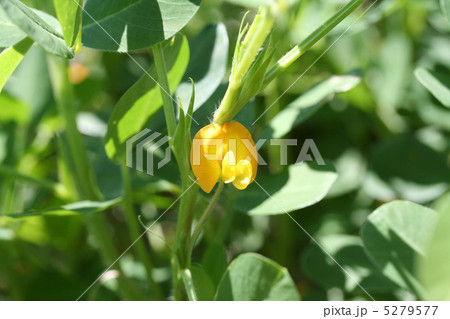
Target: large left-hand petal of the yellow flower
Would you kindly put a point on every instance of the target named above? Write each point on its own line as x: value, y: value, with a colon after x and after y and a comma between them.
x: 206, y: 156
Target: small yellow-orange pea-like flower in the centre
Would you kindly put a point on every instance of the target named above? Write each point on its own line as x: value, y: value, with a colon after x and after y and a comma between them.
x: 224, y: 151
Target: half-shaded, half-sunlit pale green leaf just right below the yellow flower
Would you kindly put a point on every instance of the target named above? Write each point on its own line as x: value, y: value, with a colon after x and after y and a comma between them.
x: 297, y: 187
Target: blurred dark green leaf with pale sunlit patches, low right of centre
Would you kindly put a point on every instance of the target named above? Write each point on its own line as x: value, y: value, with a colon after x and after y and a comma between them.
x: 349, y: 253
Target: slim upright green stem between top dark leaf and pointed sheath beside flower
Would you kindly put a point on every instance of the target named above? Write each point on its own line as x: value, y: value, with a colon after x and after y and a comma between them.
x: 163, y: 82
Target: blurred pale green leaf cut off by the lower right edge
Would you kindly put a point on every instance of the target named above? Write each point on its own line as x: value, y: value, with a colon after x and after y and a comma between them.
x: 434, y: 268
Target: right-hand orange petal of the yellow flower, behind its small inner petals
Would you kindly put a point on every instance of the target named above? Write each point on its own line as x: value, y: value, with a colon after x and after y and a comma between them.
x: 239, y: 141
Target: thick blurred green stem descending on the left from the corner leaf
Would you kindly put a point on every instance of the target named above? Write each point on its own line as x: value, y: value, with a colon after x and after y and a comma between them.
x: 82, y: 174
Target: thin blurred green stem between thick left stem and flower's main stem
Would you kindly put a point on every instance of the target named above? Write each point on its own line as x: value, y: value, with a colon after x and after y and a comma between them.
x: 135, y: 231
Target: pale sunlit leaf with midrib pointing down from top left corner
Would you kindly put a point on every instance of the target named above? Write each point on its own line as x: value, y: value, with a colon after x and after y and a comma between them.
x: 43, y: 31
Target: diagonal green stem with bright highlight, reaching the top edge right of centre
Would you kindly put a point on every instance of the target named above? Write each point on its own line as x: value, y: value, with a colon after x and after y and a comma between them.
x: 290, y: 57
